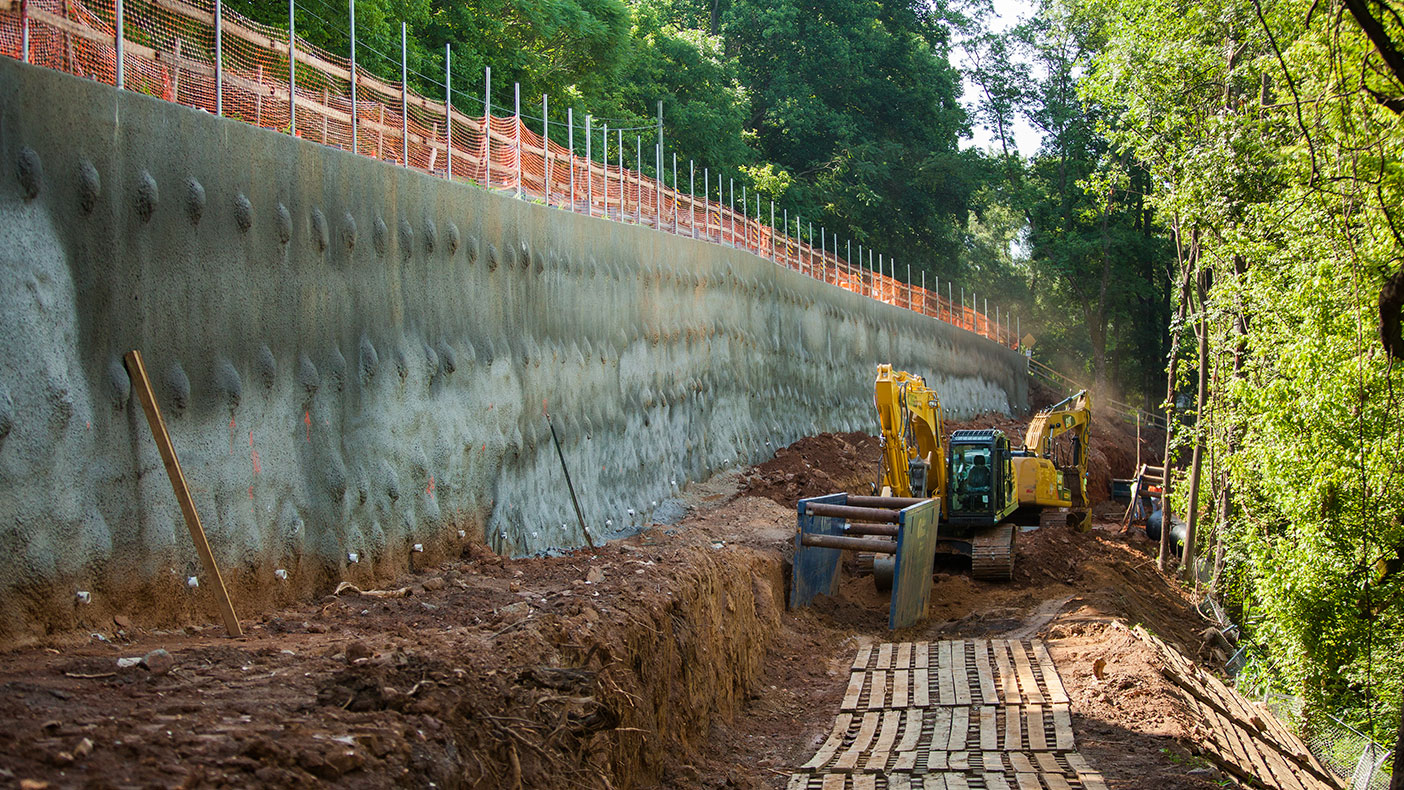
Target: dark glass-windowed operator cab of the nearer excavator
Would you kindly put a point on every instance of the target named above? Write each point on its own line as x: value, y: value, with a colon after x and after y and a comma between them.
x: 982, y: 481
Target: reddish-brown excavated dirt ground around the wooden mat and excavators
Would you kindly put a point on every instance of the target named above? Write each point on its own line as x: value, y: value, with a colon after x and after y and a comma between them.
x: 666, y: 660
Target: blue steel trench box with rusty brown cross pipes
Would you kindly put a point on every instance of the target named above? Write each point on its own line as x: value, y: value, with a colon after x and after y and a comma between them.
x: 835, y: 523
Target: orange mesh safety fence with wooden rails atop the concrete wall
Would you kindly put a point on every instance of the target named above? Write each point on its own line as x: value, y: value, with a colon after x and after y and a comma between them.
x: 169, y: 53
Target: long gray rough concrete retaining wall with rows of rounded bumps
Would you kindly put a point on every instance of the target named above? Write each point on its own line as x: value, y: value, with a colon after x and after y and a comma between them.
x: 353, y: 359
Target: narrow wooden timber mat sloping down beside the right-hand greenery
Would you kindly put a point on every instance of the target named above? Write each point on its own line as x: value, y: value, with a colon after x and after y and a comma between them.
x: 1243, y: 739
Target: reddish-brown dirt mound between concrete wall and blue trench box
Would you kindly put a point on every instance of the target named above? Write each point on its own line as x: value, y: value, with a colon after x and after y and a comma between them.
x: 815, y: 467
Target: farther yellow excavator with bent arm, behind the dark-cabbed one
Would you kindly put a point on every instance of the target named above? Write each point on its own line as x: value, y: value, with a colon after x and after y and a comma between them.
x: 1054, y: 475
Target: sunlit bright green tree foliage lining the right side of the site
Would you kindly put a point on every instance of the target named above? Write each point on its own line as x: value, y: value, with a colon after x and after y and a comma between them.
x: 1280, y: 173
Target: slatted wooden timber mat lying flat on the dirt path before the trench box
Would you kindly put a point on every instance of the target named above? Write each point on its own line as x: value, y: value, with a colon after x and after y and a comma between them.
x: 960, y: 715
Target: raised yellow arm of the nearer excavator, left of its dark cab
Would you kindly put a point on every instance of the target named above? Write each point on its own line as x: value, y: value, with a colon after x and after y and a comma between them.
x: 910, y: 419
